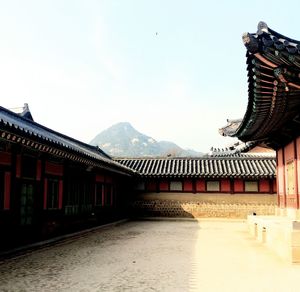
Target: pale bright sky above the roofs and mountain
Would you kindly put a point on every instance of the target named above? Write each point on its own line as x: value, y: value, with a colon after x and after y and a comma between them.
x: 174, y: 69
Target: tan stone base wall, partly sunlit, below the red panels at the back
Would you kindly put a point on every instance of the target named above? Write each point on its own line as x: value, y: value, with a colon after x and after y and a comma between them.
x: 197, y: 205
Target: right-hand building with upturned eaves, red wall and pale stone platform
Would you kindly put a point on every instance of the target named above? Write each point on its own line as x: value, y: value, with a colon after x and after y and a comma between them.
x: 272, y: 119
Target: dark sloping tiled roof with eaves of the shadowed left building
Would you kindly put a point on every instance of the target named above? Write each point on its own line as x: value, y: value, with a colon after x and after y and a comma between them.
x: 18, y: 129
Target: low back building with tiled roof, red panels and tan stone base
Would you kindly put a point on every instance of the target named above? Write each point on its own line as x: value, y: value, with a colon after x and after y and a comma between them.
x: 229, y: 186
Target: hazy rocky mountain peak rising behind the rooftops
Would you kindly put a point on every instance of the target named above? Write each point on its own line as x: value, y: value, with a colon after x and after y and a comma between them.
x: 122, y: 140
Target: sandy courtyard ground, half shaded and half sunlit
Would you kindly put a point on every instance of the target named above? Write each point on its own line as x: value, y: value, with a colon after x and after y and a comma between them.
x: 205, y: 255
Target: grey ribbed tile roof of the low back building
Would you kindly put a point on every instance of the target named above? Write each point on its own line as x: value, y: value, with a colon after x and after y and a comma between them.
x: 213, y: 167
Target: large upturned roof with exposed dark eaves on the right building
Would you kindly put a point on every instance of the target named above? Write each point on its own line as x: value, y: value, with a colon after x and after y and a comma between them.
x: 273, y: 112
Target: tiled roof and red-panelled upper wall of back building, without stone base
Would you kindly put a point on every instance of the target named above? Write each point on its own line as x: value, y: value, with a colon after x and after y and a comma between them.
x: 239, y: 173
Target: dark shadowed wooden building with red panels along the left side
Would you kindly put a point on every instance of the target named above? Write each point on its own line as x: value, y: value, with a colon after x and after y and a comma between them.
x: 51, y: 183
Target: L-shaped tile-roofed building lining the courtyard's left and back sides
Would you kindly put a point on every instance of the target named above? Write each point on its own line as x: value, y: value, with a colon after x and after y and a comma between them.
x: 51, y: 183
